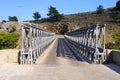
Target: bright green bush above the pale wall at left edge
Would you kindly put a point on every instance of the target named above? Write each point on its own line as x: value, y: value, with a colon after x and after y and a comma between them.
x: 8, y: 40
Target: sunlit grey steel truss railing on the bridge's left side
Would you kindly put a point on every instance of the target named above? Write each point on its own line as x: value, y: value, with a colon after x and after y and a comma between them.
x: 35, y: 40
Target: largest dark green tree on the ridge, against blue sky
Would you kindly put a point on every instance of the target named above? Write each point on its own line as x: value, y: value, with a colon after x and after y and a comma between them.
x: 54, y: 15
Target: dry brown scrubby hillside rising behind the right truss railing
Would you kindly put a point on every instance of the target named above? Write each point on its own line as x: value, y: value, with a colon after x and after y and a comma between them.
x: 89, y: 18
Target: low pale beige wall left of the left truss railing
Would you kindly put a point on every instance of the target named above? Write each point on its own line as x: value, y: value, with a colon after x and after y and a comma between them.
x: 9, y: 56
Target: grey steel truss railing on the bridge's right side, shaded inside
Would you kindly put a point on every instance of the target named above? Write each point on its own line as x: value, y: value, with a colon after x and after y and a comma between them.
x: 89, y: 41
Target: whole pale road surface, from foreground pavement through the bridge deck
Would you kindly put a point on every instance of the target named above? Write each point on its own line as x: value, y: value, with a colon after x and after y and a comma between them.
x: 58, y: 63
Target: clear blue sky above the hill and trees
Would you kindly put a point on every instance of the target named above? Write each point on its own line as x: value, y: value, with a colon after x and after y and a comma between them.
x: 24, y: 9
